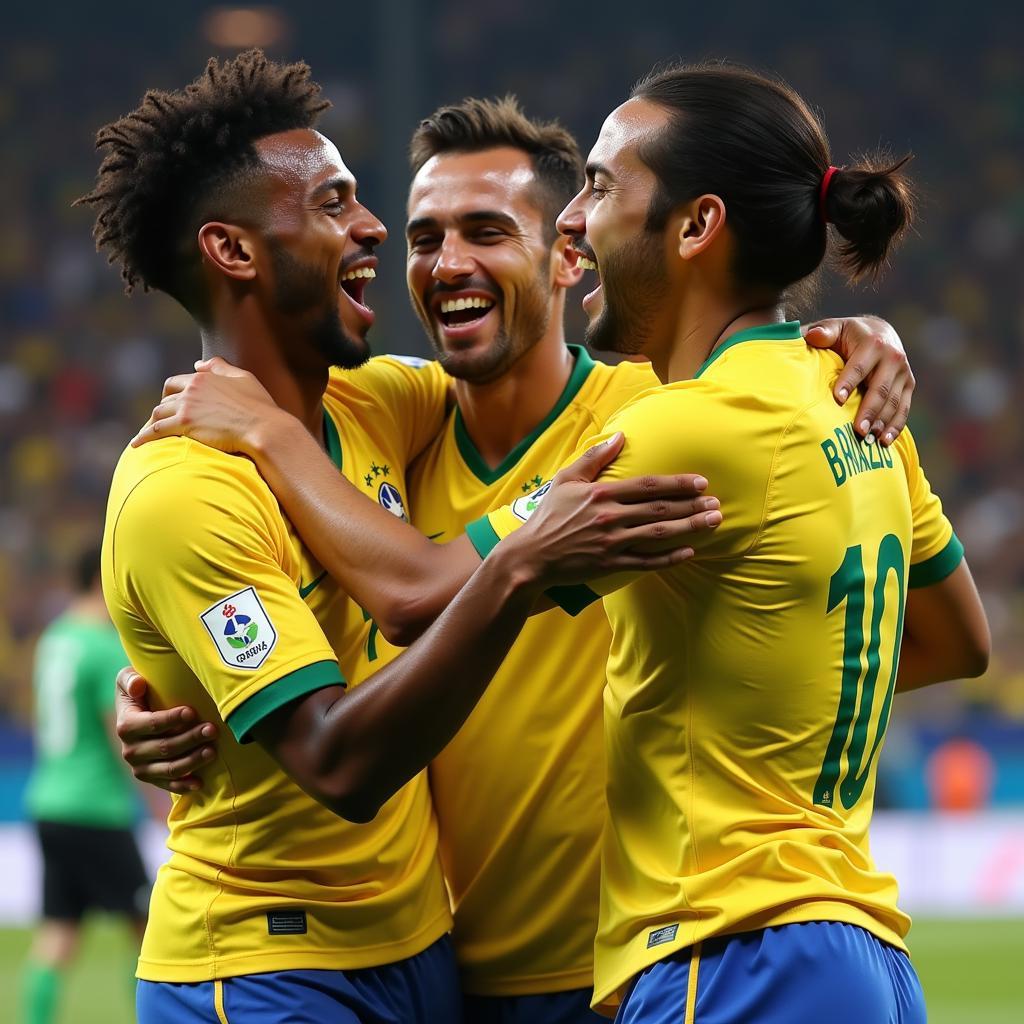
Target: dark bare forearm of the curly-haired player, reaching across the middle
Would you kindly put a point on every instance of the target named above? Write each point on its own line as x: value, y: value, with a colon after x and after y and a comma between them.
x: 380, y: 736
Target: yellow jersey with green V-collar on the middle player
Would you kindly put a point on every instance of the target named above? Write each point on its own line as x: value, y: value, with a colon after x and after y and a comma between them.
x: 520, y: 791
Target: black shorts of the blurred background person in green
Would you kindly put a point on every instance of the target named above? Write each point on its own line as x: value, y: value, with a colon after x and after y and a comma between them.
x: 89, y: 869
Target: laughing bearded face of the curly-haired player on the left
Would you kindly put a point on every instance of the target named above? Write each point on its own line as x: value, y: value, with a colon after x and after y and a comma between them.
x: 321, y: 243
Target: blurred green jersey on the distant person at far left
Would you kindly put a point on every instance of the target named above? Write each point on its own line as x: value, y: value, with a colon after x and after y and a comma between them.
x: 78, y: 778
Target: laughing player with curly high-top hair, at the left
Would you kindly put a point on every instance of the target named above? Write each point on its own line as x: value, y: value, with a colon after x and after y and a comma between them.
x: 272, y: 907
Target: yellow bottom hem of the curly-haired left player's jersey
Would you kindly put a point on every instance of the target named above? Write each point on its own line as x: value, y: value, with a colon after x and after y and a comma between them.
x: 309, y: 960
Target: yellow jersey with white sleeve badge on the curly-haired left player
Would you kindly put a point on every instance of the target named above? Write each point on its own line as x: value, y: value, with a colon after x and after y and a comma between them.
x: 222, y: 608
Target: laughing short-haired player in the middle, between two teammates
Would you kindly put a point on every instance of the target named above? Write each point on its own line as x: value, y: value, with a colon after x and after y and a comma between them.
x: 520, y: 792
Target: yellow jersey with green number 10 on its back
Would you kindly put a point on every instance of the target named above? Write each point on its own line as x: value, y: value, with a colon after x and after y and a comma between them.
x: 750, y: 689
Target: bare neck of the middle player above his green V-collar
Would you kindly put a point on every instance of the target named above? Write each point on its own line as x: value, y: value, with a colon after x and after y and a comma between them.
x: 500, y: 414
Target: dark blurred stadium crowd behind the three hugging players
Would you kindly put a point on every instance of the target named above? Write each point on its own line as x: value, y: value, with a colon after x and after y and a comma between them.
x: 81, y: 365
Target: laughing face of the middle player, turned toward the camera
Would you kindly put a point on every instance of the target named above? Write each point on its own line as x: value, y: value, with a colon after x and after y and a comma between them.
x: 480, y: 261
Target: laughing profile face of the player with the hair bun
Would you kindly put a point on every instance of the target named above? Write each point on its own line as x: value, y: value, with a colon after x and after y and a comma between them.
x: 608, y: 226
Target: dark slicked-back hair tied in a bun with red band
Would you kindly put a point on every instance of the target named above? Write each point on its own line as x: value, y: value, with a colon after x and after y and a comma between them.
x: 752, y: 141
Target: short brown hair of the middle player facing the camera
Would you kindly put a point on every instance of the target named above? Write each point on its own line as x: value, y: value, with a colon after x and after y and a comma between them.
x: 476, y: 125
